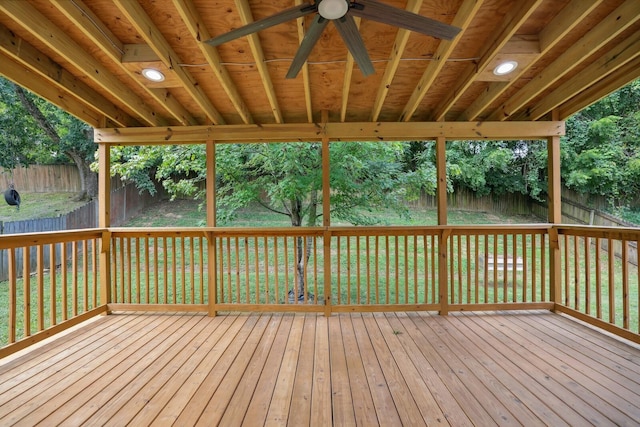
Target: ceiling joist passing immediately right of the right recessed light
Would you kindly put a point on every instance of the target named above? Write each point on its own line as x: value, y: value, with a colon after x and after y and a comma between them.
x: 568, y: 18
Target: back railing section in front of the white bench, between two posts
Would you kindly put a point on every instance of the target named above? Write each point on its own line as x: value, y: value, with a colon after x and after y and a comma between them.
x: 498, y: 267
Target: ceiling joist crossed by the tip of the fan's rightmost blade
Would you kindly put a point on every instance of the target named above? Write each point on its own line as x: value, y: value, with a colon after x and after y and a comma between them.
x: 462, y: 20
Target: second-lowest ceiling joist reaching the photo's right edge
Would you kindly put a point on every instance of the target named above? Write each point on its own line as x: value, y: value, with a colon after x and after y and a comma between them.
x: 614, y: 59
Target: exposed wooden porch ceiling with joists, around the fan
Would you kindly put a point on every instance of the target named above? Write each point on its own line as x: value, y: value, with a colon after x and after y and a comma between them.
x: 86, y: 56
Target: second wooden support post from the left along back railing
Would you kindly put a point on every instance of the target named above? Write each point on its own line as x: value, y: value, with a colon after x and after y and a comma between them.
x: 211, y: 222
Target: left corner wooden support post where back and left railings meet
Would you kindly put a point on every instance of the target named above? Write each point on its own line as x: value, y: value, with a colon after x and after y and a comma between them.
x: 104, y: 221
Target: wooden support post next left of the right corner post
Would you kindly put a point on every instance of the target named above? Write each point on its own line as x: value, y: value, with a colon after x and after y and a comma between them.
x: 443, y: 274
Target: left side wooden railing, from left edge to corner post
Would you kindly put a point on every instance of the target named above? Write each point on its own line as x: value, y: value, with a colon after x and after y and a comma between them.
x: 54, y: 283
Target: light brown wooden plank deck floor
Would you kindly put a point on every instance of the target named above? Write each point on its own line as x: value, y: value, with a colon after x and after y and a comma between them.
x: 350, y: 369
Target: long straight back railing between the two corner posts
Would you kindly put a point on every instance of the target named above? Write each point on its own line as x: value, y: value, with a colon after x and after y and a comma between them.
x: 363, y: 268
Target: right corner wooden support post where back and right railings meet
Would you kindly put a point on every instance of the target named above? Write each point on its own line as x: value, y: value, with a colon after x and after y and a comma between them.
x: 554, y: 217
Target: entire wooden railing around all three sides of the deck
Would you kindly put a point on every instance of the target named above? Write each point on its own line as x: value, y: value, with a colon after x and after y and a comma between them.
x: 590, y: 273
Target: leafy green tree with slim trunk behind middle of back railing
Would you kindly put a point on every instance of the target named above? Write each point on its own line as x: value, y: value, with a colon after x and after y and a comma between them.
x: 286, y: 178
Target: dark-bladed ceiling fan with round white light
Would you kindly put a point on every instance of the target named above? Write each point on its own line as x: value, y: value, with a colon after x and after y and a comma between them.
x: 341, y: 12
